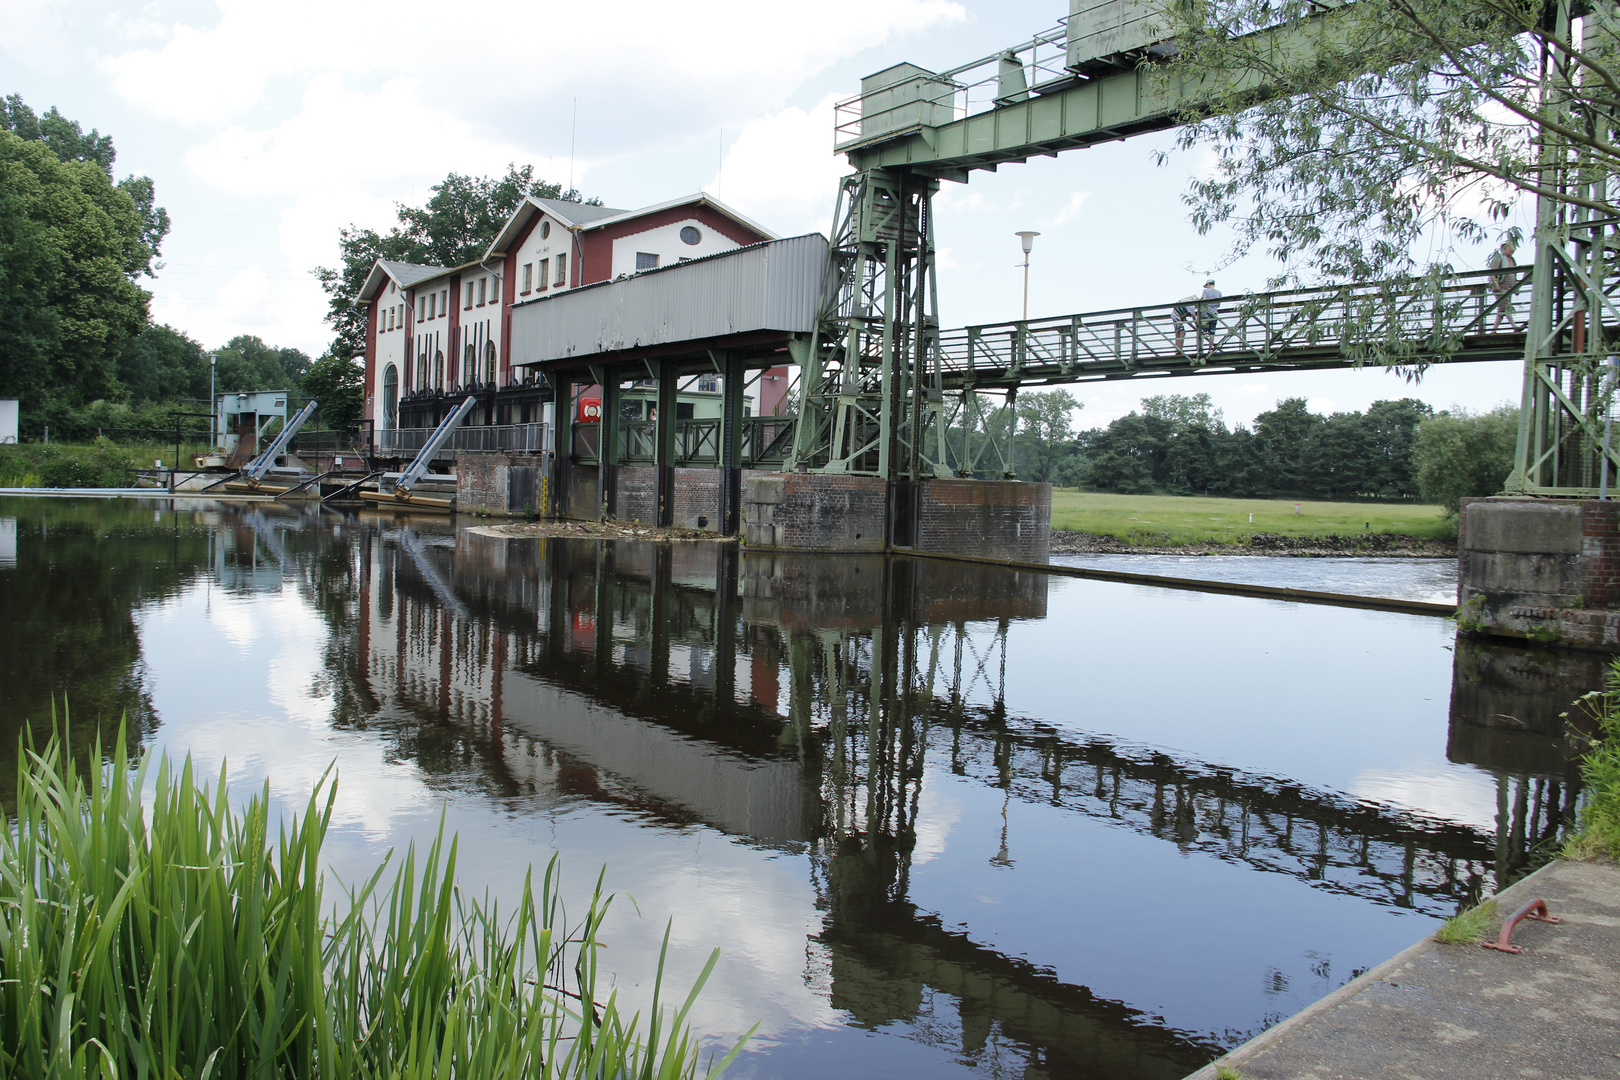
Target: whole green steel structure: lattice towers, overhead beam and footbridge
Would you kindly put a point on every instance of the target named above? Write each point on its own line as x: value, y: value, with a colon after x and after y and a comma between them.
x: 882, y: 385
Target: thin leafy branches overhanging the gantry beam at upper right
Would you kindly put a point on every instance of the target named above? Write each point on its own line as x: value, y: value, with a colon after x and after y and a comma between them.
x: 1342, y: 142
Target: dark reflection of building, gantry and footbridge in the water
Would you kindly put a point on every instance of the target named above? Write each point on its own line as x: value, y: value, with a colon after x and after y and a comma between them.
x: 795, y: 702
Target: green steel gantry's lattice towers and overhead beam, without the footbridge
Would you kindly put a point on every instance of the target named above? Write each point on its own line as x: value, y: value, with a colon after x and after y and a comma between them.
x: 876, y: 380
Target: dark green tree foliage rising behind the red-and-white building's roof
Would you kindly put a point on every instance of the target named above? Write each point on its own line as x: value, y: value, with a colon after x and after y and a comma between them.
x: 456, y: 226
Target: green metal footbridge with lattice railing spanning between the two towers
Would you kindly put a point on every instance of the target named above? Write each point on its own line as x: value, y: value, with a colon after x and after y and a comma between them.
x: 1375, y: 323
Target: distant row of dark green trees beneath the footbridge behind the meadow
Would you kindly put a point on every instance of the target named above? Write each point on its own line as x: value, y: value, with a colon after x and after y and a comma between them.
x: 1182, y: 446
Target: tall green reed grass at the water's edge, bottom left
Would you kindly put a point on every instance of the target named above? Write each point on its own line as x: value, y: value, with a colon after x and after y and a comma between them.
x: 182, y: 940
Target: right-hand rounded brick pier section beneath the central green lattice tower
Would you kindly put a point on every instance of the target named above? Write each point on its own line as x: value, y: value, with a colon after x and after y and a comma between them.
x: 986, y: 519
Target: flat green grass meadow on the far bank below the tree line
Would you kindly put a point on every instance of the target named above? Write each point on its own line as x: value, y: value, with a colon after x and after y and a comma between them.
x: 1193, y: 521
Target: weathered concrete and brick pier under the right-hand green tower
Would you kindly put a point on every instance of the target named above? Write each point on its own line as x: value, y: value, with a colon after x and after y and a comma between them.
x: 1541, y: 571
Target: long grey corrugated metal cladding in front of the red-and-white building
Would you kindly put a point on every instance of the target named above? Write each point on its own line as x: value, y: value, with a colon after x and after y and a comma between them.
x: 762, y: 287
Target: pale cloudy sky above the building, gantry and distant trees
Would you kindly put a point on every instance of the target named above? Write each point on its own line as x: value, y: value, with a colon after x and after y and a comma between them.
x: 268, y: 127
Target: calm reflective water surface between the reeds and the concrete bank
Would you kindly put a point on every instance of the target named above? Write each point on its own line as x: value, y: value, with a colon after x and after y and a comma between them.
x: 942, y: 820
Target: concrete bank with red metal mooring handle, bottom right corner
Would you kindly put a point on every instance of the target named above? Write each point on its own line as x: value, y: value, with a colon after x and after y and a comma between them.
x: 1462, y: 1013
